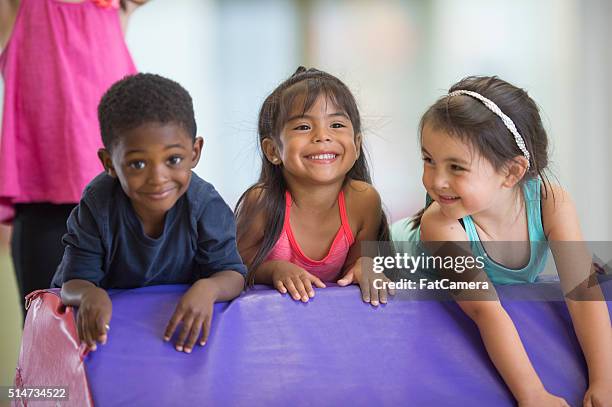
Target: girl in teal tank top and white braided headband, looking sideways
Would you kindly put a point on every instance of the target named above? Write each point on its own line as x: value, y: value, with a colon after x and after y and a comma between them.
x: 484, y: 154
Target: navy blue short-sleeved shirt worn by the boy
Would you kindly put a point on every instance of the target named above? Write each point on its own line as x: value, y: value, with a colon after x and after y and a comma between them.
x: 106, y: 243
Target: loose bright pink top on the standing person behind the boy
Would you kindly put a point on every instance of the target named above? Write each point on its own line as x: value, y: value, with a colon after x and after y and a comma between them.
x: 60, y: 59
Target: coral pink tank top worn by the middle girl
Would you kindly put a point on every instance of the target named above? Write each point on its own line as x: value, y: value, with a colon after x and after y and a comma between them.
x: 328, y: 268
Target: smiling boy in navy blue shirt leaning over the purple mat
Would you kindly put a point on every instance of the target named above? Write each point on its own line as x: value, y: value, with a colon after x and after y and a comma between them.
x: 148, y: 219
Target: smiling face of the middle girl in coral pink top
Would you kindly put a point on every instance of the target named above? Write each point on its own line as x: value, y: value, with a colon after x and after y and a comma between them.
x: 317, y: 146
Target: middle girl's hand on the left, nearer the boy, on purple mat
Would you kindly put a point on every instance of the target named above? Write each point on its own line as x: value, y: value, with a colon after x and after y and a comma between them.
x: 296, y: 281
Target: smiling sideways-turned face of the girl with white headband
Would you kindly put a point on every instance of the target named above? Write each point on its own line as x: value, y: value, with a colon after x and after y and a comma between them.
x: 457, y: 177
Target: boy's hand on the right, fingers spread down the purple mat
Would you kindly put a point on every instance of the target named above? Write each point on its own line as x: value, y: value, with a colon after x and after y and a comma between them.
x: 194, y: 311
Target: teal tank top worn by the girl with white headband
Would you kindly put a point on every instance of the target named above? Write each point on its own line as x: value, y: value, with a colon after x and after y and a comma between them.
x: 498, y: 274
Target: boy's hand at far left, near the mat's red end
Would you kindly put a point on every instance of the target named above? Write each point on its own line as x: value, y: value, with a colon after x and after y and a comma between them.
x: 94, y: 316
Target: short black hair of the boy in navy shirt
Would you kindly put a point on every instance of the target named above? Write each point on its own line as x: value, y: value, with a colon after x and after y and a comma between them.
x: 144, y: 98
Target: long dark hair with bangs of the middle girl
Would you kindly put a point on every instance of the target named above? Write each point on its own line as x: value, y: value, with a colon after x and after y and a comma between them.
x: 308, y: 84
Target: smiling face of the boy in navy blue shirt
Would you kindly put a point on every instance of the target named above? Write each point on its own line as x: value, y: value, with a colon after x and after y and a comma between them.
x: 153, y: 163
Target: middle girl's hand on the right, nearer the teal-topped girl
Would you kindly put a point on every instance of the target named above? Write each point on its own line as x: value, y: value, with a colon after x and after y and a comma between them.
x: 370, y: 283
